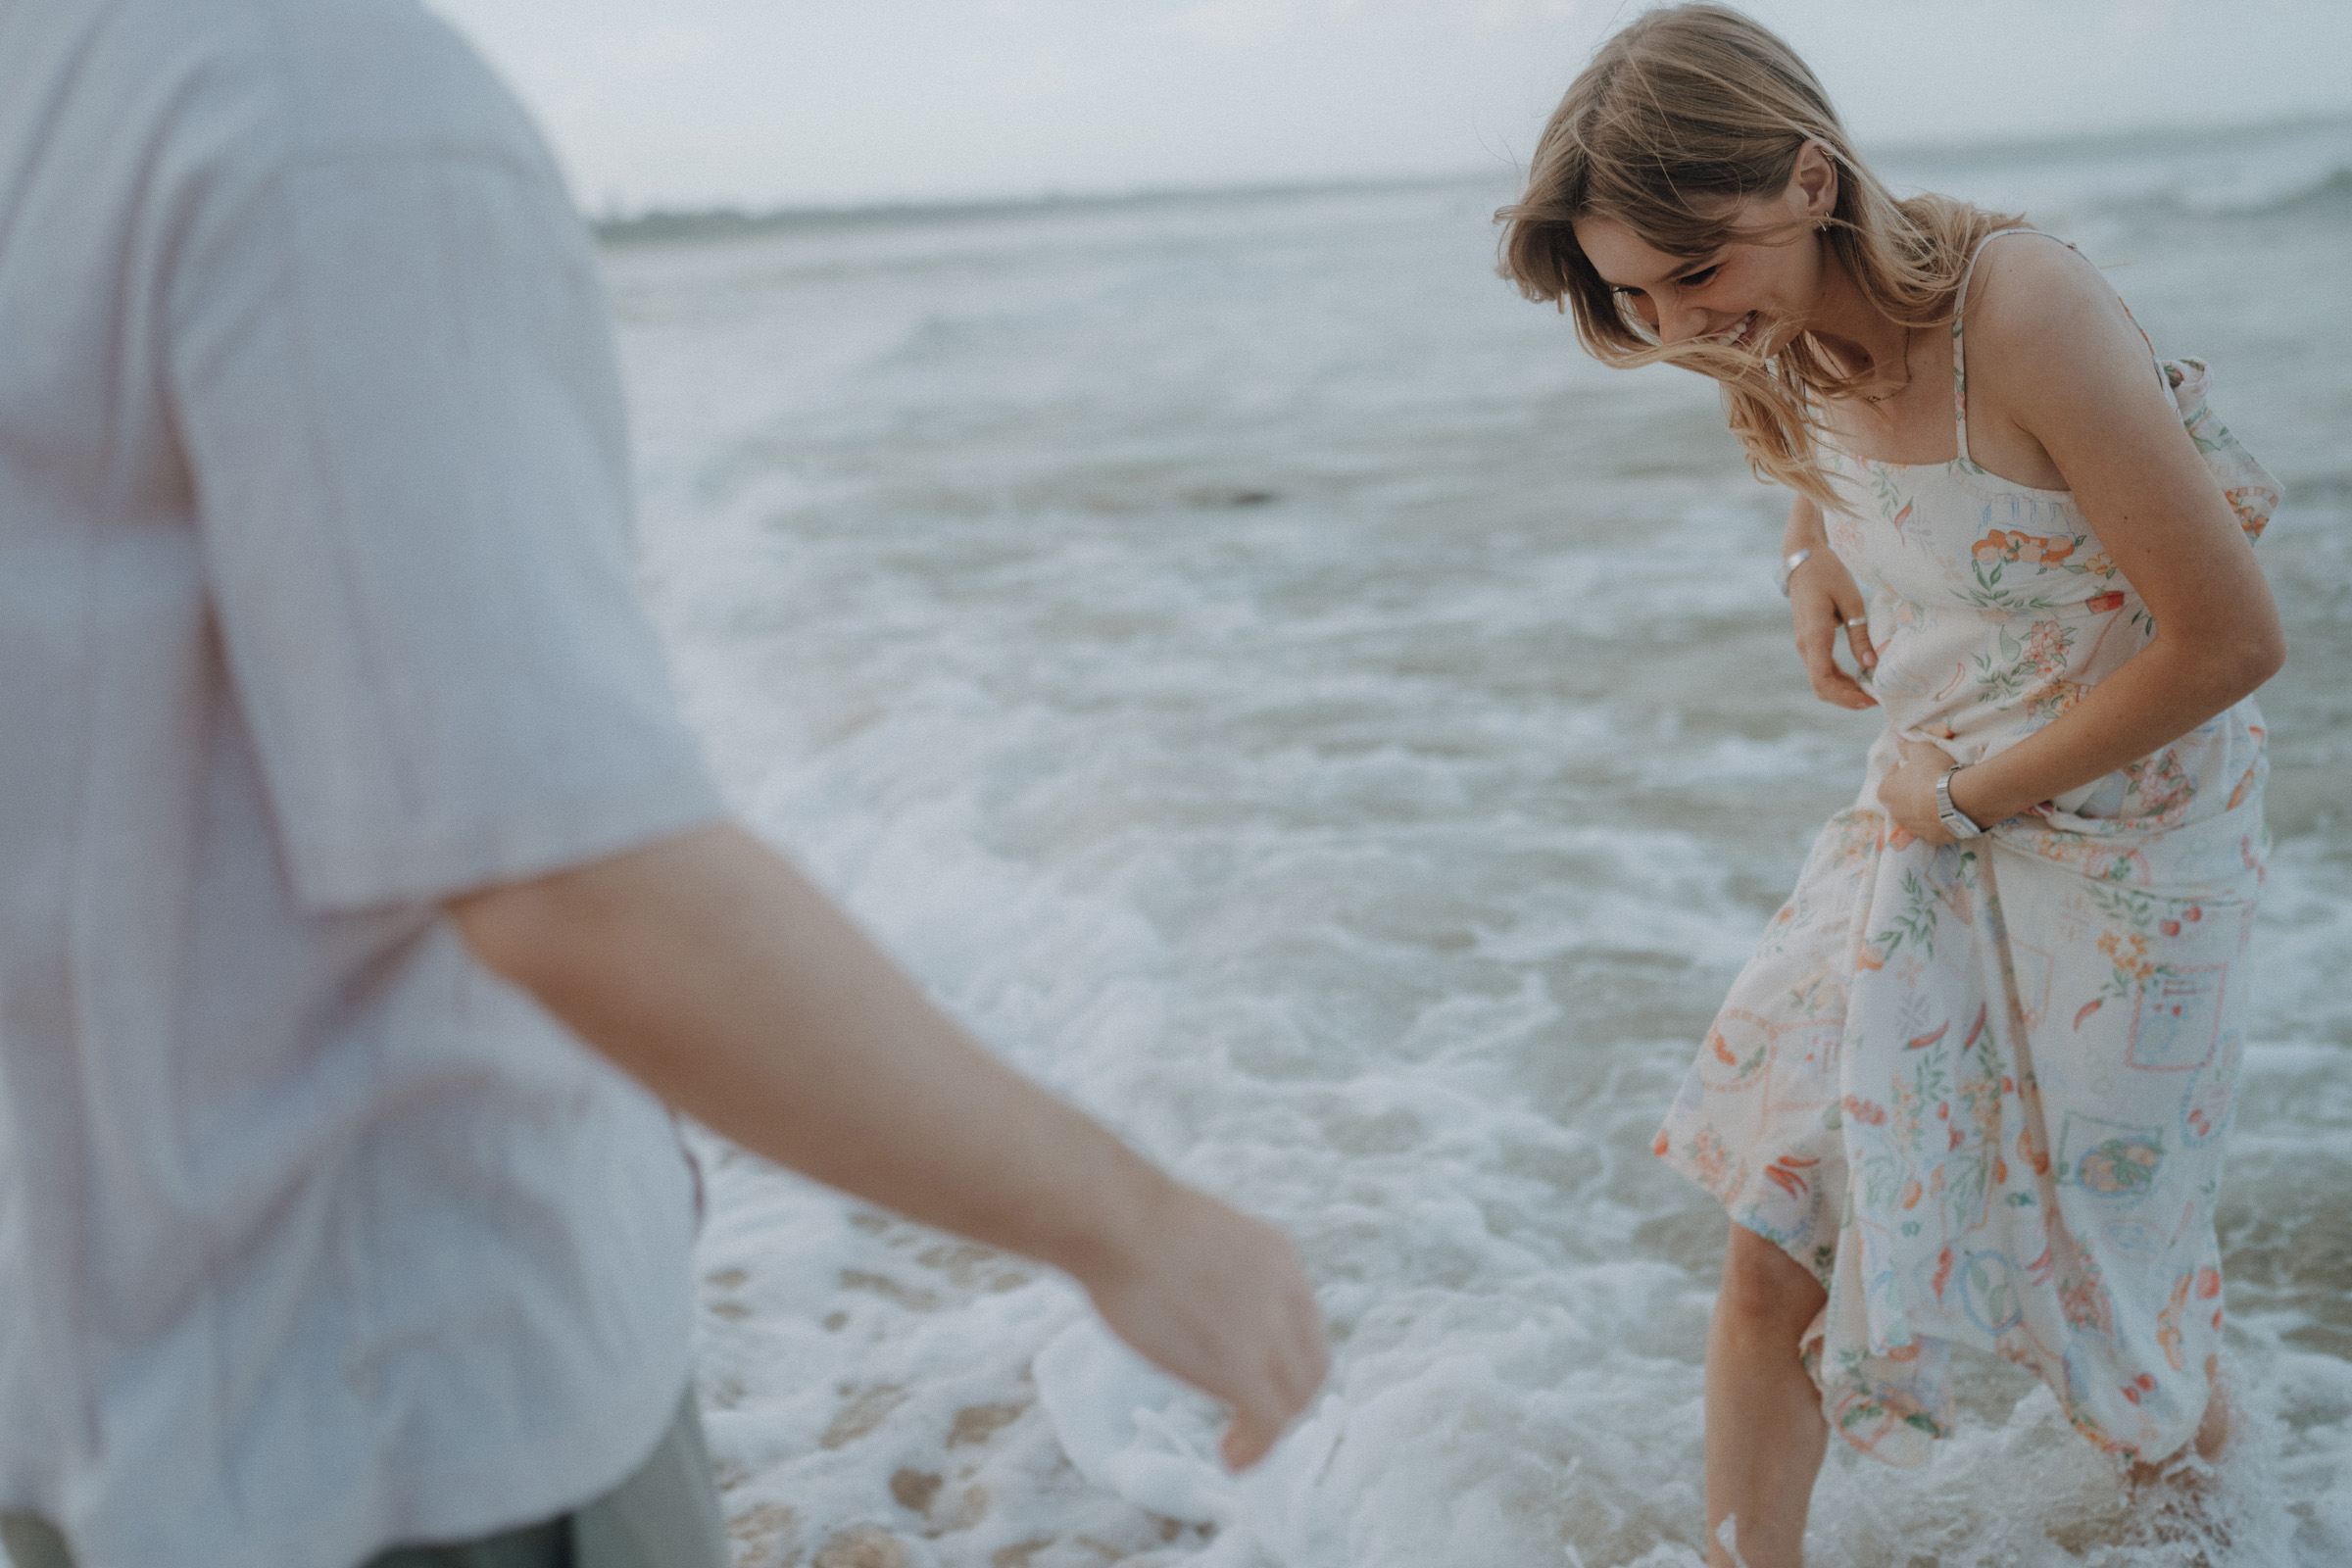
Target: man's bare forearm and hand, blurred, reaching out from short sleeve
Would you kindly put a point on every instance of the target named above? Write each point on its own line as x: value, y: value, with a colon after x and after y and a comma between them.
x: 714, y: 974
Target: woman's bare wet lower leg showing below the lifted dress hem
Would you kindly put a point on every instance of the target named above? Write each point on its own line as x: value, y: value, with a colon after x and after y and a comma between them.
x: 1765, y: 1428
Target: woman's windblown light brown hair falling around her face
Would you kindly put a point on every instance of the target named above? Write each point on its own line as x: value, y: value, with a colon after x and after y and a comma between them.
x: 1676, y: 123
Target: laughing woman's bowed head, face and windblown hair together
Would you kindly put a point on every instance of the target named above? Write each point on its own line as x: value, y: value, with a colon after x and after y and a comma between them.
x: 1753, y: 225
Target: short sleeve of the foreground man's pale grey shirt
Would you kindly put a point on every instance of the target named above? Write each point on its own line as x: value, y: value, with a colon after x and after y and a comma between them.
x: 401, y: 413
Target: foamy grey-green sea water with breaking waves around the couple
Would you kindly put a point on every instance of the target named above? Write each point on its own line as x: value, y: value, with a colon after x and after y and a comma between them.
x: 1276, y: 690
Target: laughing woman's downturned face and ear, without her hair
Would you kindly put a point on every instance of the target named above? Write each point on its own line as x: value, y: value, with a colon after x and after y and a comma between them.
x: 1742, y: 290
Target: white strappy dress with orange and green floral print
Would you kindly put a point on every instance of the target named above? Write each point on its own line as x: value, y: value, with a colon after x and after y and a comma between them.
x: 1982, y: 1092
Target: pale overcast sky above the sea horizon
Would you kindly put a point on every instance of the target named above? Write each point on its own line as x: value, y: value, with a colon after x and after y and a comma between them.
x: 817, y: 102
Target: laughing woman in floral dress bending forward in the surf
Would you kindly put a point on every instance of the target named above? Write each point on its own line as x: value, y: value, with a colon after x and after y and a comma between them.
x: 1977, y: 1080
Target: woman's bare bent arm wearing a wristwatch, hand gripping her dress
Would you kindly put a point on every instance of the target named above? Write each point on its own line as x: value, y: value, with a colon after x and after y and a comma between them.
x: 2054, y: 359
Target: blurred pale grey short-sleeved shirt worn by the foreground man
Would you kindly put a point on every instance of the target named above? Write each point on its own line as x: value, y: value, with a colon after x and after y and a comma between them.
x: 316, y: 608
